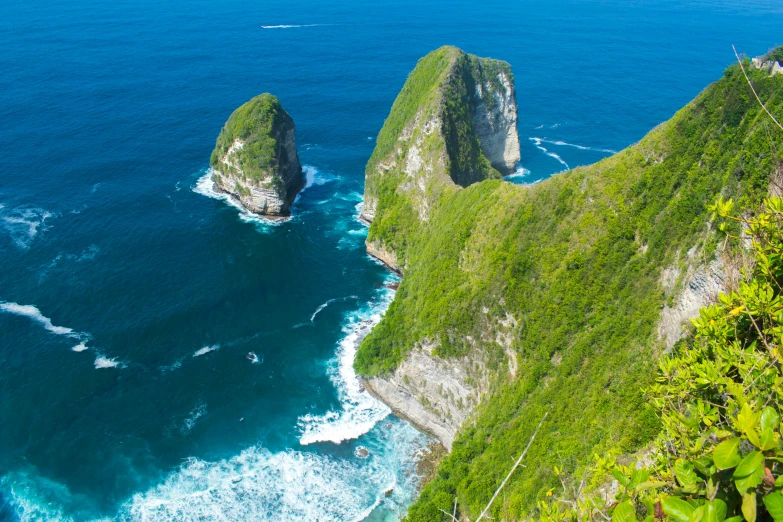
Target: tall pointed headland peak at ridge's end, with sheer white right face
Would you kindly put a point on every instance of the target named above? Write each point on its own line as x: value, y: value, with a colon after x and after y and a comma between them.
x: 453, y: 124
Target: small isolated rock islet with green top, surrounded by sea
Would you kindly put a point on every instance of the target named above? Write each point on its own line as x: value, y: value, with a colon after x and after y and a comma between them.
x: 255, y: 158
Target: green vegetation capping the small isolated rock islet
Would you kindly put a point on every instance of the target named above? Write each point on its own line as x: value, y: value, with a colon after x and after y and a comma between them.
x: 257, y: 124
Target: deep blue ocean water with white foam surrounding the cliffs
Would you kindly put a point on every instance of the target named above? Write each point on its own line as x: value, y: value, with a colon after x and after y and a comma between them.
x: 130, y: 296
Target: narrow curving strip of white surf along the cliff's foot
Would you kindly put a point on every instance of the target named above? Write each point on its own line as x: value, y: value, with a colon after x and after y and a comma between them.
x: 359, y: 411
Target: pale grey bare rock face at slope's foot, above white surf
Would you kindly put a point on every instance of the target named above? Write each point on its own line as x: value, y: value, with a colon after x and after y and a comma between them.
x: 435, y: 394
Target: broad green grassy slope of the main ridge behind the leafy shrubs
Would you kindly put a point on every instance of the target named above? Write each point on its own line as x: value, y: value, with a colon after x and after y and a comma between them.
x: 577, y: 262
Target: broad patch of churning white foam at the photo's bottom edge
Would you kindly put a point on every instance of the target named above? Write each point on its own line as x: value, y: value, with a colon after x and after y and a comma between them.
x: 260, y: 485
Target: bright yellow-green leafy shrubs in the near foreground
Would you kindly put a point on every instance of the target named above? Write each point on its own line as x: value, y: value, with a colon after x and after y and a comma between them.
x: 719, y: 396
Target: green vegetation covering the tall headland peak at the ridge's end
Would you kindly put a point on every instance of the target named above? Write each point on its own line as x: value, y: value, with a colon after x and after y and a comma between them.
x: 441, y: 87
